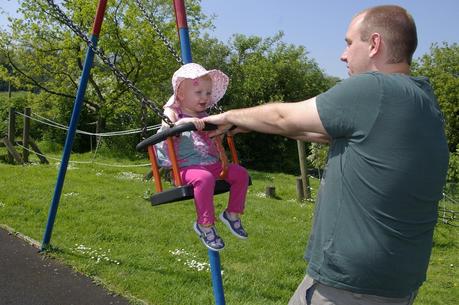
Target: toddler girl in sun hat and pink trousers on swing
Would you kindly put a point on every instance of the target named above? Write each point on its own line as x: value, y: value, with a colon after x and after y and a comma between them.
x: 195, y: 90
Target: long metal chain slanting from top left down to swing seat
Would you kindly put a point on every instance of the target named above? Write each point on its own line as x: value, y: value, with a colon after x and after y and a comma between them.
x: 118, y: 73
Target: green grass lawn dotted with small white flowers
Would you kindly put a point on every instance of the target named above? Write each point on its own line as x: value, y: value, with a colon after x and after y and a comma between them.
x: 106, y: 229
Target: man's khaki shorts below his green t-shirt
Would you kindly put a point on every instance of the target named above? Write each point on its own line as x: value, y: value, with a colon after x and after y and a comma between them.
x: 311, y: 292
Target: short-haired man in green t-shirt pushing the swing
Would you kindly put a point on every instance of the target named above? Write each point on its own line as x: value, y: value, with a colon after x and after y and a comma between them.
x: 377, y: 205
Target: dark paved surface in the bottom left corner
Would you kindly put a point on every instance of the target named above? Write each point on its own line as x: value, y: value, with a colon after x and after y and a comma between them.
x: 29, y: 278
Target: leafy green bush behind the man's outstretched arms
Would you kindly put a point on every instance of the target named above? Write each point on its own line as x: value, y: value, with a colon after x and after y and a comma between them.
x: 263, y: 71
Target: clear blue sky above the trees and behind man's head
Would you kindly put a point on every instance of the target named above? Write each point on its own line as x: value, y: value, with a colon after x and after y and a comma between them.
x: 319, y: 26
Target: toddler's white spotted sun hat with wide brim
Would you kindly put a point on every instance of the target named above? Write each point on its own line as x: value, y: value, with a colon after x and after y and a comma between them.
x: 192, y: 71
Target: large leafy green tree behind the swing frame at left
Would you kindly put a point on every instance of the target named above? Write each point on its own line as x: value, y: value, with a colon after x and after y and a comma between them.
x: 47, y: 57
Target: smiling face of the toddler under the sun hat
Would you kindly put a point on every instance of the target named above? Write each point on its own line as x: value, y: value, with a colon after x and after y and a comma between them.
x: 194, y: 95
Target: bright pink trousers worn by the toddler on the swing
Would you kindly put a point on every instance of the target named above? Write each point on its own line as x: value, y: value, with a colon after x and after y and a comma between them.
x: 203, y: 178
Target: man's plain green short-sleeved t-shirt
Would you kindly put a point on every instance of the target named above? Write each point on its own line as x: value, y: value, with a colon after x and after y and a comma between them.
x: 377, y: 205
